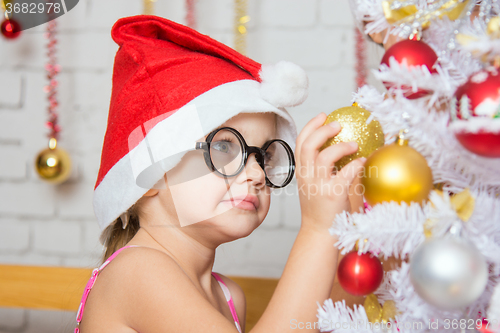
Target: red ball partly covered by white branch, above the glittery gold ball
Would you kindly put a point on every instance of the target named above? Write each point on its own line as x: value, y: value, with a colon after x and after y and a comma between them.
x: 414, y: 53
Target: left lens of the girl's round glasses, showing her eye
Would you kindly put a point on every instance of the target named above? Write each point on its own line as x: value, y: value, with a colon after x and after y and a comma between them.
x: 226, y: 152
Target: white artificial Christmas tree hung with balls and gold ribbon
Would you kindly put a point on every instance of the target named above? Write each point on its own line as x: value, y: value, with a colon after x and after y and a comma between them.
x: 465, y: 34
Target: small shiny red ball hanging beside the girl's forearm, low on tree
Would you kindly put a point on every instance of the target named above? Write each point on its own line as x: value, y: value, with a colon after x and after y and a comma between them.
x: 360, y: 275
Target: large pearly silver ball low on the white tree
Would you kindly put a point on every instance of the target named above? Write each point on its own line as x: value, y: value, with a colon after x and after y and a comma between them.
x: 448, y: 273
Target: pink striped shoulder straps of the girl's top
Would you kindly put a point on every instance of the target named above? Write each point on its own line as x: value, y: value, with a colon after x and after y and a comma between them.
x: 96, y: 271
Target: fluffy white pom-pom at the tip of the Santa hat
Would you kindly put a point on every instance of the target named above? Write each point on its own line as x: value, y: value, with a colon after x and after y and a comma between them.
x: 283, y: 84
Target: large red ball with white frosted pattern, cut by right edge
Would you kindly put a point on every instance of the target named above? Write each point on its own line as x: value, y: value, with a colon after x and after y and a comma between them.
x: 475, y: 114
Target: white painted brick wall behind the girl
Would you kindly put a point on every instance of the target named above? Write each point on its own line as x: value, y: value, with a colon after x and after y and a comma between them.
x: 43, y: 224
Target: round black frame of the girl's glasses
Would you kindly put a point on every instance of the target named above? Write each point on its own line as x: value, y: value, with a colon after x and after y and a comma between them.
x: 247, y: 151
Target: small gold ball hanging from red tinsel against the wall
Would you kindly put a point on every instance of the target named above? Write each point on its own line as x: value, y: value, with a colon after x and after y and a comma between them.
x: 53, y: 165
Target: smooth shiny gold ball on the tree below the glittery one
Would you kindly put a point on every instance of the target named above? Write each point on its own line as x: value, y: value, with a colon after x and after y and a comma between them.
x: 397, y: 173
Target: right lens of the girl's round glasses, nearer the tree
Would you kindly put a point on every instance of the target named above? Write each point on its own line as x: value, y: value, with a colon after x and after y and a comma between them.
x: 277, y: 163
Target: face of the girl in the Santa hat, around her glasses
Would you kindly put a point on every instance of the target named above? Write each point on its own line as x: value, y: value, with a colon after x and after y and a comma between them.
x: 206, y: 200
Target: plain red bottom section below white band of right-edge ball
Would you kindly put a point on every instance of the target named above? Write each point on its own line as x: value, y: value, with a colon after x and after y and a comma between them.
x: 482, y: 143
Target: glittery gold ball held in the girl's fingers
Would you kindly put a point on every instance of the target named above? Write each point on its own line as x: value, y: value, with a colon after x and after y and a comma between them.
x: 353, y: 119
